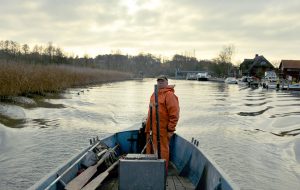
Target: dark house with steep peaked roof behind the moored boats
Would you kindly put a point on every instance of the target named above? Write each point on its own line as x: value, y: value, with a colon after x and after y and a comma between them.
x: 255, y: 67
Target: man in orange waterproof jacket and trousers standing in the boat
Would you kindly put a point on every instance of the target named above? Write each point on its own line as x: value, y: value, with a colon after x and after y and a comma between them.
x: 168, y: 107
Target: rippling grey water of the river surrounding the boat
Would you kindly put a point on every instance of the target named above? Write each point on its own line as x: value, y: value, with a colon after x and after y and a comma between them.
x: 252, y: 134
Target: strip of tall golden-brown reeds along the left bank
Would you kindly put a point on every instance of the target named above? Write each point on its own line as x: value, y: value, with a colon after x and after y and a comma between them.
x: 22, y: 79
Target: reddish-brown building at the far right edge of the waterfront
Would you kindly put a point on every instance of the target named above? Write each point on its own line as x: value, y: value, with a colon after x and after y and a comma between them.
x: 290, y: 68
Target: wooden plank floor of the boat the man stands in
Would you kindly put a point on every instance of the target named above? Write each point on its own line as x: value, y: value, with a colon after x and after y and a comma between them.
x: 174, y: 181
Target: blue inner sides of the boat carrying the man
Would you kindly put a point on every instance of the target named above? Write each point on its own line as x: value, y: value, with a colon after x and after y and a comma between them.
x: 187, y: 158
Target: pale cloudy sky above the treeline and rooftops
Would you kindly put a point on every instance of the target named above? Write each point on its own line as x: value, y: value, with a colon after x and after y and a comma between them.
x: 160, y: 27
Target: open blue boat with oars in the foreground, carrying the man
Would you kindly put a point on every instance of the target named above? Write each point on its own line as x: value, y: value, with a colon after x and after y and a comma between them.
x: 189, y: 167
